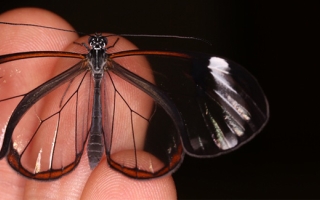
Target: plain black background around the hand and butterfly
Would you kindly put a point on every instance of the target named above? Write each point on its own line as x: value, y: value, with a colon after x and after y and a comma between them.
x: 277, y: 43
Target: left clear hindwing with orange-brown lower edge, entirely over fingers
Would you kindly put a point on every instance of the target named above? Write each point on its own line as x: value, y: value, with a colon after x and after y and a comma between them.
x: 51, y: 133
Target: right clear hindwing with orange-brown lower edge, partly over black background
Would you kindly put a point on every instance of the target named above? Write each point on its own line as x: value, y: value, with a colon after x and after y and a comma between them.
x: 142, y: 138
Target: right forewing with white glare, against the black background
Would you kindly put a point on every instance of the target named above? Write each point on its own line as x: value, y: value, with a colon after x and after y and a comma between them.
x: 217, y: 104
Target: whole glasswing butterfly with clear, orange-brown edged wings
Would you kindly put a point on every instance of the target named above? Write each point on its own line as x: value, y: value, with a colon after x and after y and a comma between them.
x: 142, y: 109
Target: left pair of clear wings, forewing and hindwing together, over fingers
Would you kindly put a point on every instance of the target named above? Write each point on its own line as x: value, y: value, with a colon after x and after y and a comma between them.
x: 46, y: 126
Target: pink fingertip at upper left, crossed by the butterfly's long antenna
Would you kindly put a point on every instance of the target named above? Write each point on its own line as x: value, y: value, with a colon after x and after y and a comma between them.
x: 29, y: 38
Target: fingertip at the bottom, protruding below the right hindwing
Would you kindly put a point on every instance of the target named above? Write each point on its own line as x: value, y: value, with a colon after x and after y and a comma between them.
x: 106, y: 183
